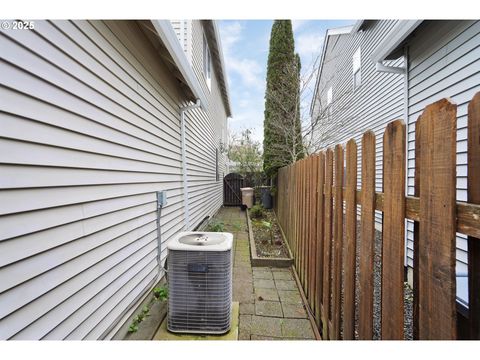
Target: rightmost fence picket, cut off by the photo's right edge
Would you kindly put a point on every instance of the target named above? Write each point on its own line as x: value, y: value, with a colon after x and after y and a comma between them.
x: 474, y: 197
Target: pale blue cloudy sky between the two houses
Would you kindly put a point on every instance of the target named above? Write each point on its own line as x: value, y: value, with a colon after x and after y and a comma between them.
x: 245, y: 48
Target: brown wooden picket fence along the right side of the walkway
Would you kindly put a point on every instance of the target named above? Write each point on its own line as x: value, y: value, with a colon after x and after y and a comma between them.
x: 317, y: 208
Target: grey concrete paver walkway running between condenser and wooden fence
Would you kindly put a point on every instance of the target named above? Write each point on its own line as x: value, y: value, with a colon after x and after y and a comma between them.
x: 271, y: 307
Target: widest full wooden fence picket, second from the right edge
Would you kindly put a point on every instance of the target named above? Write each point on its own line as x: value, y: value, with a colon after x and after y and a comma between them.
x: 437, y: 241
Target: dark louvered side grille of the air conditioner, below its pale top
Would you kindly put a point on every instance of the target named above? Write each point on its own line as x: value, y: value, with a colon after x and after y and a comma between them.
x: 200, y: 290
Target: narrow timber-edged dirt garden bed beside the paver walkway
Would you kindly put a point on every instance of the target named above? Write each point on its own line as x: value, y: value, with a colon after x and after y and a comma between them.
x: 267, y: 244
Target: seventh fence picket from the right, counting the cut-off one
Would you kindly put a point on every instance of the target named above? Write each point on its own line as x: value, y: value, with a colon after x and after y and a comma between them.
x: 327, y: 243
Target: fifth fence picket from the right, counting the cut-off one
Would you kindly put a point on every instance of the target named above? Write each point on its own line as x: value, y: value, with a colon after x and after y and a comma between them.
x: 350, y: 241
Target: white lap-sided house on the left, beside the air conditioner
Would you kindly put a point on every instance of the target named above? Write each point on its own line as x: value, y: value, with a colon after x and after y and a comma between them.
x: 91, y: 127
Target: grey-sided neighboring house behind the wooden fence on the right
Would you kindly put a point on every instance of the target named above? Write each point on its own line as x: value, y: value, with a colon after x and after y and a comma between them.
x: 442, y: 60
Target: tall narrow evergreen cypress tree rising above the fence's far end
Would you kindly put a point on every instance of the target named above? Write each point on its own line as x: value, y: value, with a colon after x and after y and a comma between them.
x: 282, y: 142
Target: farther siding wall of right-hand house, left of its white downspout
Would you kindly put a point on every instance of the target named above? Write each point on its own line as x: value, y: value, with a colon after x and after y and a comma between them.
x: 378, y: 100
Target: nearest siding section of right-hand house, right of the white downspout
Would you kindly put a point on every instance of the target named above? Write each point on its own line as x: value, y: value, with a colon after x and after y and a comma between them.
x: 444, y: 61
